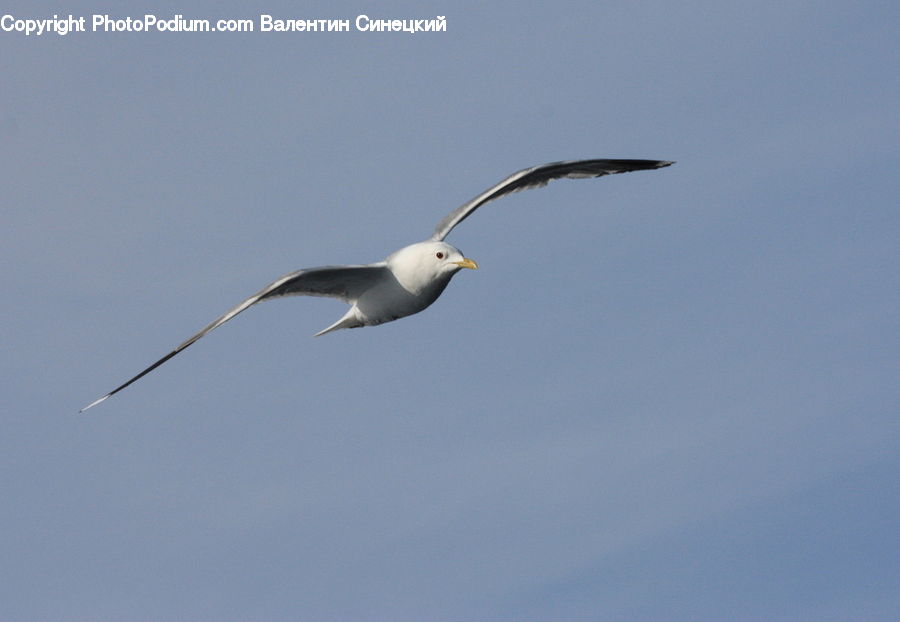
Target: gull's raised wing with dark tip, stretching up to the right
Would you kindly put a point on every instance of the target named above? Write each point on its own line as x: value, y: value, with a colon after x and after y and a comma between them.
x: 538, y: 176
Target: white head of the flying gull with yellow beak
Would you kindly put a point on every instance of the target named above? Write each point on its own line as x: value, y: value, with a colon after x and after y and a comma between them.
x: 426, y: 264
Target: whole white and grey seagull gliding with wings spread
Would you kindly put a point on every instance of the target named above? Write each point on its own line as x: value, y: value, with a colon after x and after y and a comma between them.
x: 410, y: 279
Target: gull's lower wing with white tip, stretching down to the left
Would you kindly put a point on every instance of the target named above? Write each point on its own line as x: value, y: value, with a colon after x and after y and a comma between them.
x: 344, y: 282
